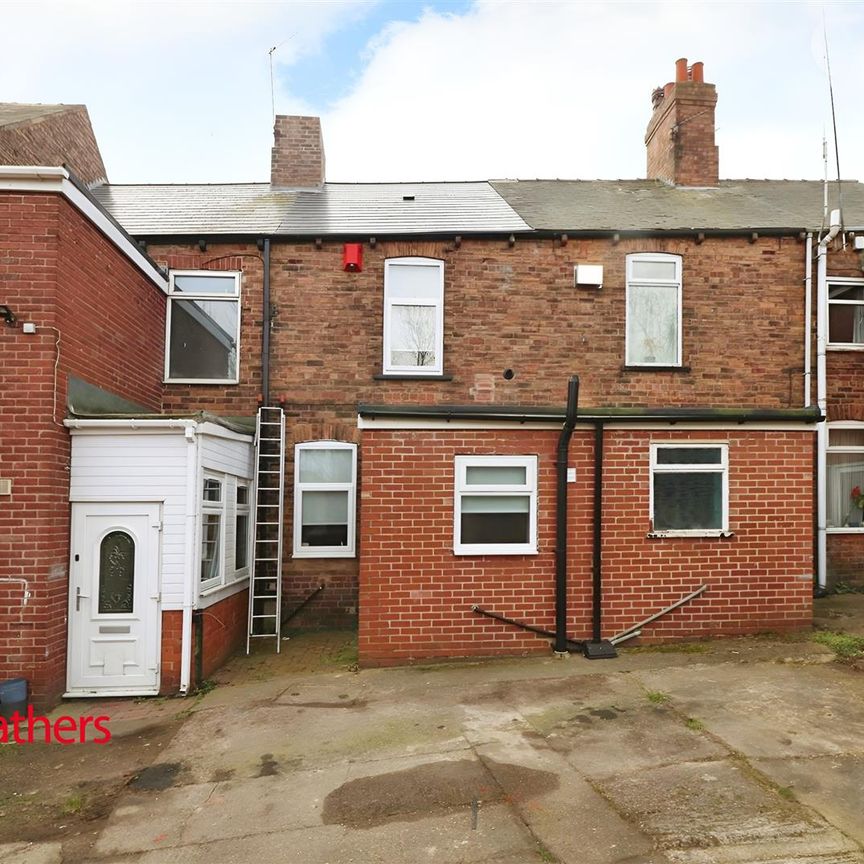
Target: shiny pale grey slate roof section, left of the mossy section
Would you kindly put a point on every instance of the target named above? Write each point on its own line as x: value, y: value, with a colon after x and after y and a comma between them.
x: 336, y: 209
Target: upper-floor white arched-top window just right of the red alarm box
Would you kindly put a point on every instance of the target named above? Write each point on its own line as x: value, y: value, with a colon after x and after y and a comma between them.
x: 413, y: 316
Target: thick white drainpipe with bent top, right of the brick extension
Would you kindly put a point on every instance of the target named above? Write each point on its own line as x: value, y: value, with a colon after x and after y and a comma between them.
x: 822, y: 398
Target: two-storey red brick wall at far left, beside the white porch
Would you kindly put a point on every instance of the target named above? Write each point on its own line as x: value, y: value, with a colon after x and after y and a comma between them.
x: 53, y: 266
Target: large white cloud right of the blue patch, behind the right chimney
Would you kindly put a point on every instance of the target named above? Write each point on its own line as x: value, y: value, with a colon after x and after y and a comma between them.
x: 562, y: 89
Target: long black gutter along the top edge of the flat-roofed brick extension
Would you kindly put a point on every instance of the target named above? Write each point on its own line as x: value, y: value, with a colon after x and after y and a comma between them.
x: 591, y: 416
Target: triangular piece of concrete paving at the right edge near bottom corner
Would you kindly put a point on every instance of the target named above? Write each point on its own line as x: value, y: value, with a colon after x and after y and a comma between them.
x: 831, y: 785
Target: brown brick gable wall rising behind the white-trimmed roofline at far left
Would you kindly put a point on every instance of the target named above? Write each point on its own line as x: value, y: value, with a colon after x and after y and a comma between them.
x: 65, y: 137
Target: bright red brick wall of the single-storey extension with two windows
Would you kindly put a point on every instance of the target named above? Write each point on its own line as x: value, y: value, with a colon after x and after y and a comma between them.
x: 415, y: 594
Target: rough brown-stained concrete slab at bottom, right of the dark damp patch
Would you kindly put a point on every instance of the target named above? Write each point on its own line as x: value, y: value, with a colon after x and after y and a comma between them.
x: 720, y: 806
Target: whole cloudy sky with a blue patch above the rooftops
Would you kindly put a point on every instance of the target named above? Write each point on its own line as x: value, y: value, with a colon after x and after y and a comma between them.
x: 180, y: 91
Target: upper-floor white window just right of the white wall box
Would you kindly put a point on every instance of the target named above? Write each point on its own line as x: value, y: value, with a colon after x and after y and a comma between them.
x: 653, y: 316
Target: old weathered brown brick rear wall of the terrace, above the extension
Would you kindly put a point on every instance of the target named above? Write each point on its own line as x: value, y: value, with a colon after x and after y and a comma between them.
x: 504, y: 309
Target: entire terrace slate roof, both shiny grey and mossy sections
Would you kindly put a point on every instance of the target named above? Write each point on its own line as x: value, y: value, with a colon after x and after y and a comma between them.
x: 499, y: 206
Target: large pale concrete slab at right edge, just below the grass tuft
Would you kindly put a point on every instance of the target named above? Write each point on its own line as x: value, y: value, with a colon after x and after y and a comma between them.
x: 771, y: 710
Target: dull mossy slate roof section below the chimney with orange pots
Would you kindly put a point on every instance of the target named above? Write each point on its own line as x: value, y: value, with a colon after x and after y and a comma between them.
x: 651, y: 205
